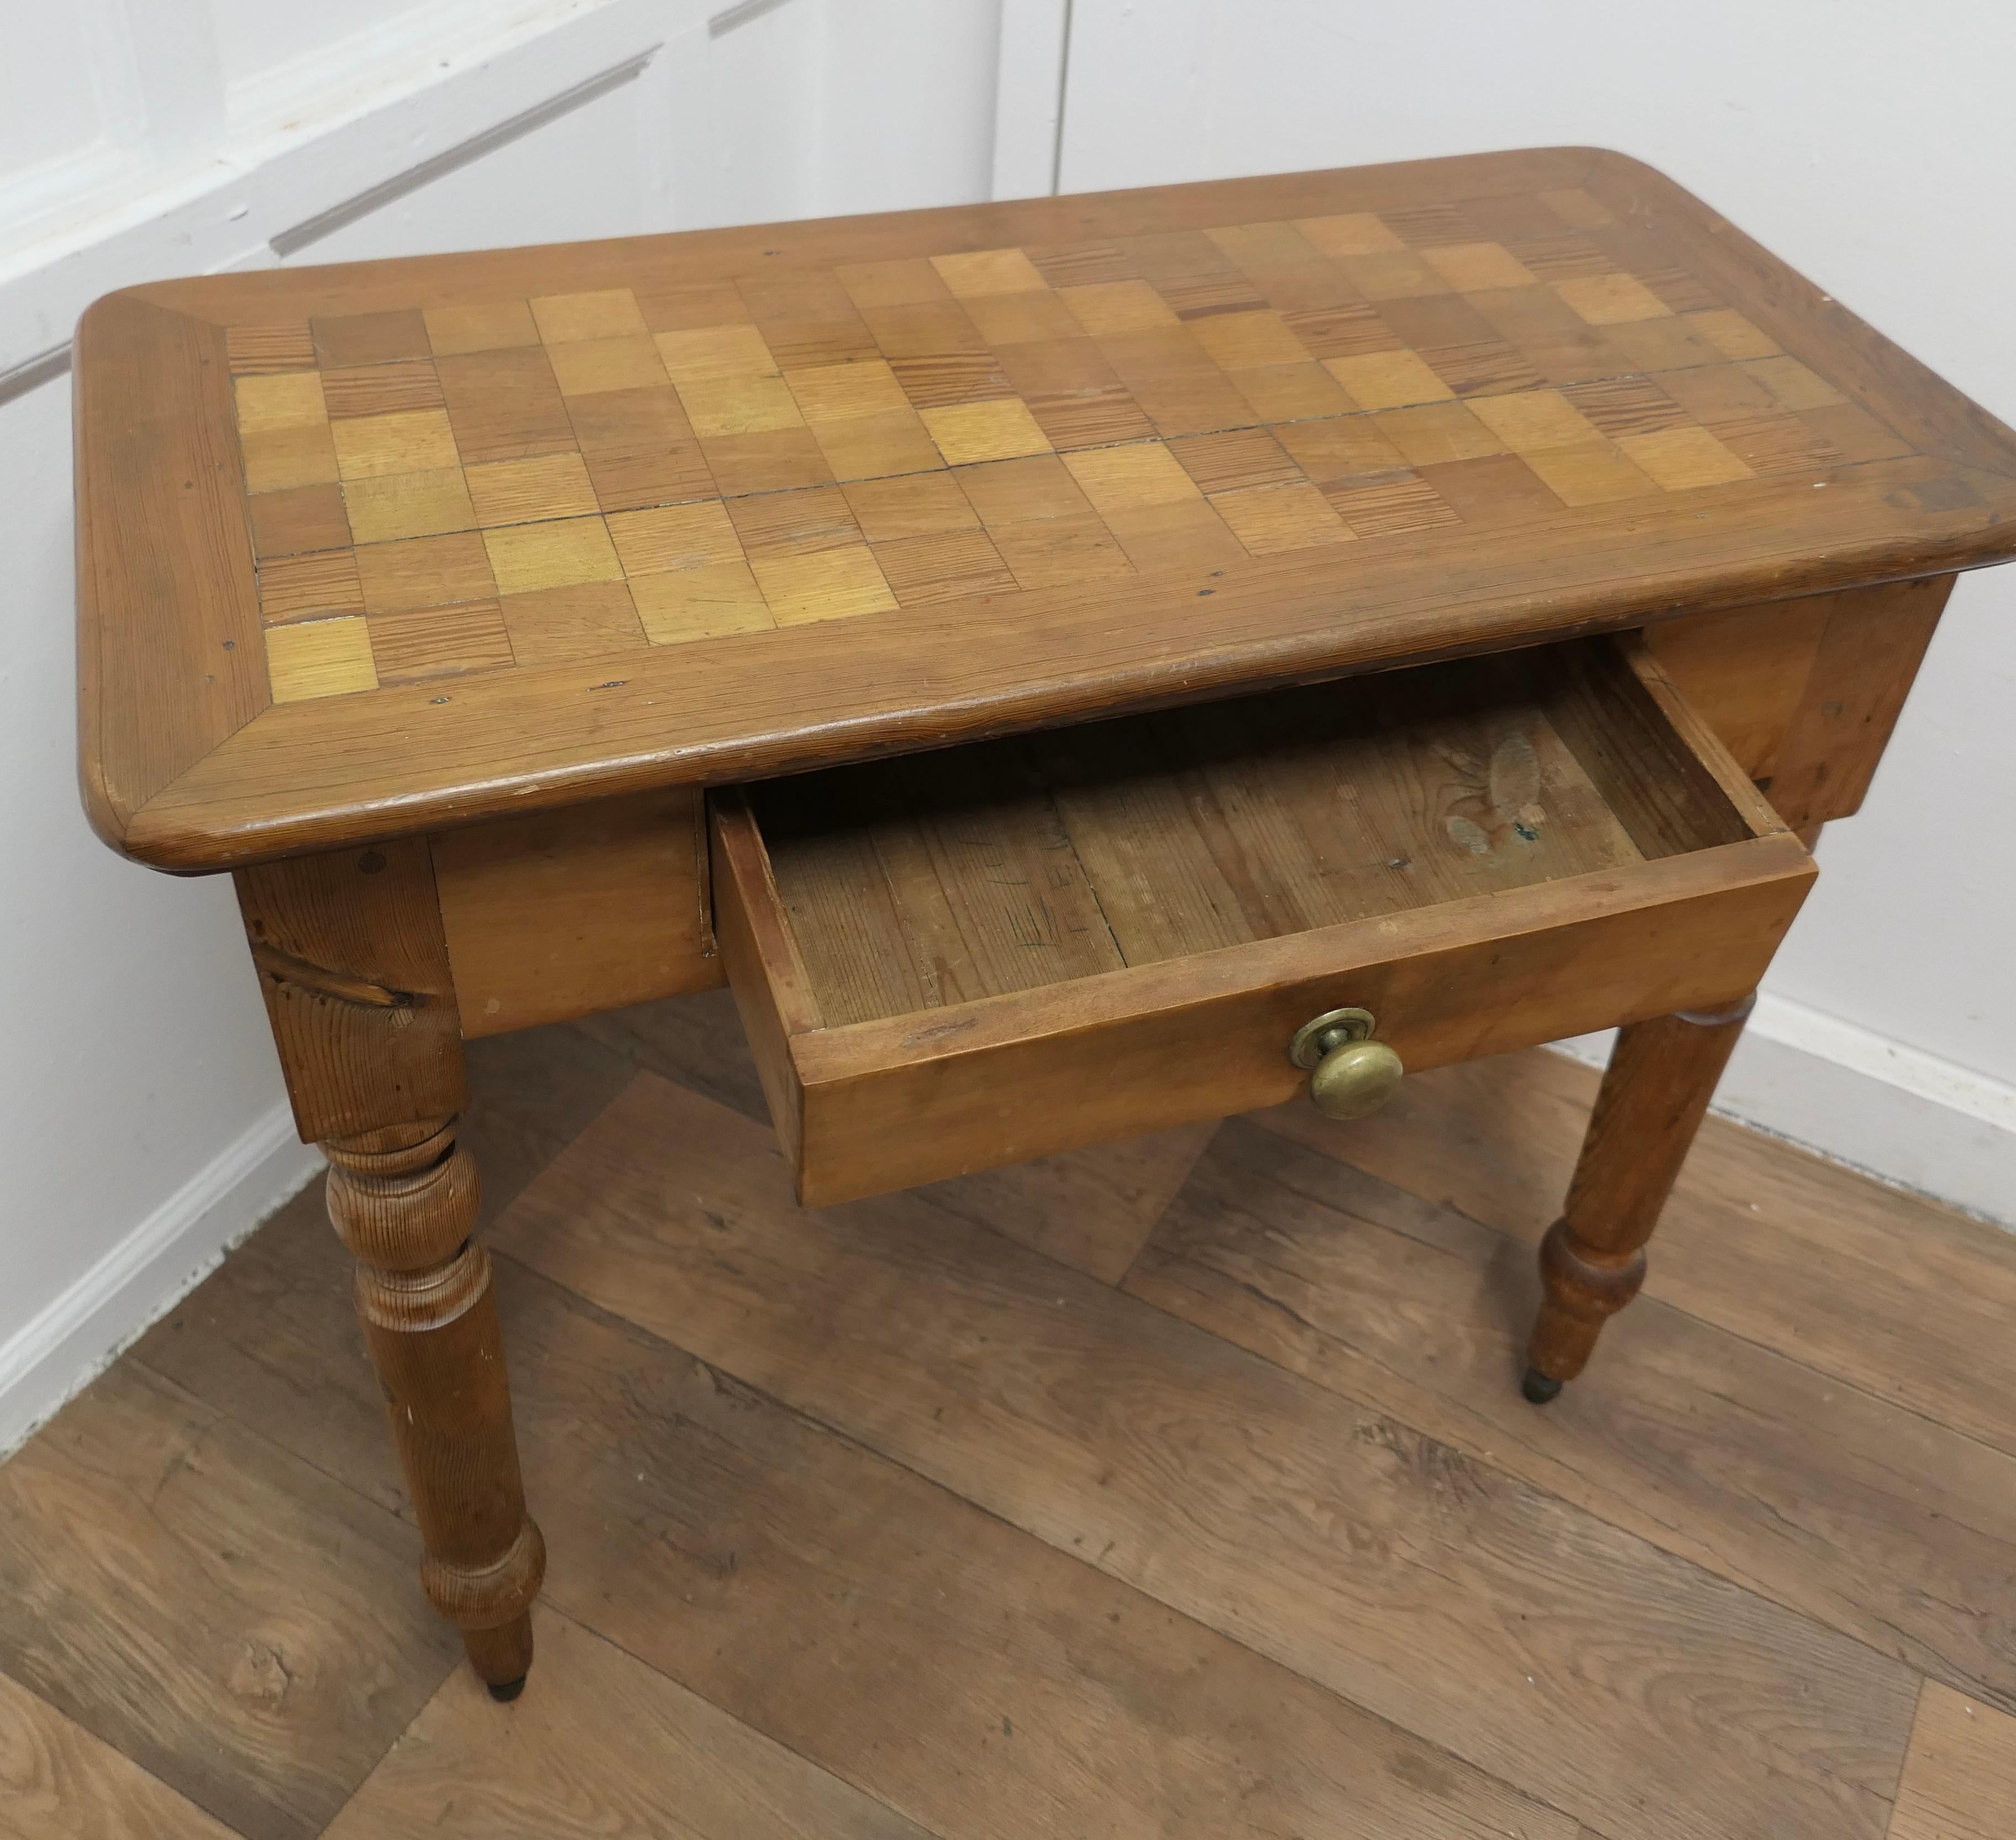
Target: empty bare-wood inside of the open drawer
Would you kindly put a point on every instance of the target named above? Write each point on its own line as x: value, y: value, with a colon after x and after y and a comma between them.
x: 1003, y: 868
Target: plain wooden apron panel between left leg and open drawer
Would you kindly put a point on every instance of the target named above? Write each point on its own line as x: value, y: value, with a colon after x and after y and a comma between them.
x: 568, y: 914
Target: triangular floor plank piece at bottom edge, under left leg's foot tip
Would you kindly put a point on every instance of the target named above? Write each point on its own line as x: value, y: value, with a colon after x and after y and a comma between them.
x: 606, y: 1746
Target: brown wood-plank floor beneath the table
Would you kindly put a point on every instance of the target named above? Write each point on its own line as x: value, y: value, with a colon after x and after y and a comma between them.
x: 1170, y: 1490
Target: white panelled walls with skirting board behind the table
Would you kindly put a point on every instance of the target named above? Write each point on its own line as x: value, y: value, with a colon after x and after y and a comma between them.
x: 142, y: 1124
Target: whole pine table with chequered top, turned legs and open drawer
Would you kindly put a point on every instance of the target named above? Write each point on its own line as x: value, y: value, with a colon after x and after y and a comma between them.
x: 1041, y: 656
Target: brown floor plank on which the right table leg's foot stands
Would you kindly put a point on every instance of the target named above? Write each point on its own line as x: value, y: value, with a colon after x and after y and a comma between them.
x: 1811, y: 1492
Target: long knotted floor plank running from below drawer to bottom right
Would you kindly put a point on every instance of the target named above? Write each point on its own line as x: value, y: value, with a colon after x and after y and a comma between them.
x: 1517, y: 1631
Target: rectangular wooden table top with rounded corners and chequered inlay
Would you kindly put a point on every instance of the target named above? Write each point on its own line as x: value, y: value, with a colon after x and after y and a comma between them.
x: 396, y: 545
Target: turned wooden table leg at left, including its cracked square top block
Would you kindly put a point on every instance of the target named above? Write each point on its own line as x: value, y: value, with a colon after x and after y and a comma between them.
x: 364, y: 1013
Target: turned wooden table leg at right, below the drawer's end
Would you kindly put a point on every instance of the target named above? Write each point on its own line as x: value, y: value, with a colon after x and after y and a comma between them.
x: 1654, y: 1097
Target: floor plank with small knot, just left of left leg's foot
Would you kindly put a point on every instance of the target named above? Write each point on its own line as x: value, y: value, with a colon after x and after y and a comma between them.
x: 237, y: 1623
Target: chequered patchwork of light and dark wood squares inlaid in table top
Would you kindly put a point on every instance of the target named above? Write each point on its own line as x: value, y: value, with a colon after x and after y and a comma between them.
x: 471, y: 489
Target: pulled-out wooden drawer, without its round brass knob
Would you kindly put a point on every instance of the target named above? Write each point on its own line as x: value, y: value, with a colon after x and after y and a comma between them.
x: 995, y: 952
